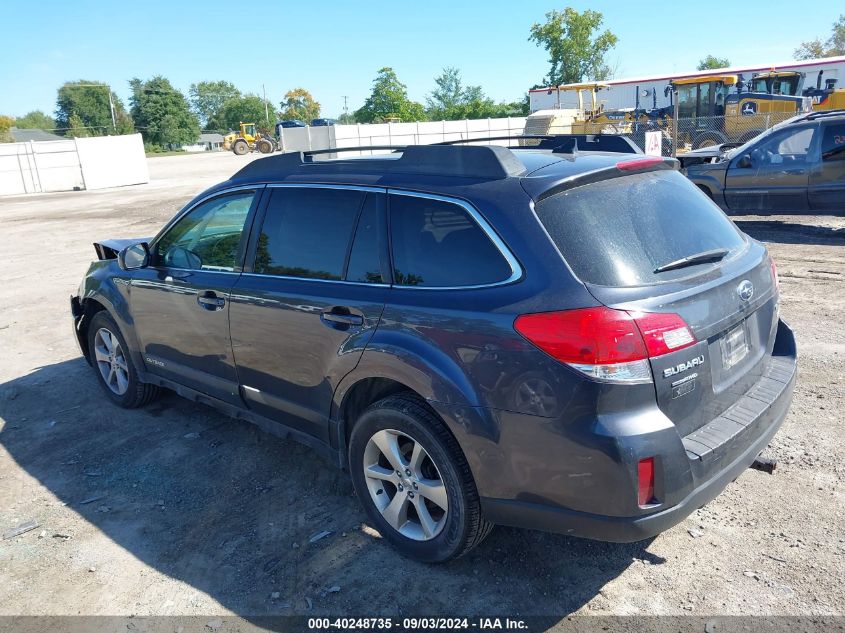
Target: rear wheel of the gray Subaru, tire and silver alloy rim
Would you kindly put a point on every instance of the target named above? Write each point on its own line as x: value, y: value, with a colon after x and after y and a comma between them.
x: 441, y: 470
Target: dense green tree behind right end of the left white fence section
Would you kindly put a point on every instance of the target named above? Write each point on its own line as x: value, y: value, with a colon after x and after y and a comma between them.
x: 162, y: 113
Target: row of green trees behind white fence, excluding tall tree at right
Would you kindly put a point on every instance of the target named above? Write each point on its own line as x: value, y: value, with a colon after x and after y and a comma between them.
x: 166, y: 117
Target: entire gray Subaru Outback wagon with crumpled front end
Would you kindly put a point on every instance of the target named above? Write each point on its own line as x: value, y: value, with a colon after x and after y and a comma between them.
x: 569, y: 337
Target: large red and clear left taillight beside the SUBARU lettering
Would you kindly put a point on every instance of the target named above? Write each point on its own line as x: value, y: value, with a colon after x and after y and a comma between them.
x: 605, y: 343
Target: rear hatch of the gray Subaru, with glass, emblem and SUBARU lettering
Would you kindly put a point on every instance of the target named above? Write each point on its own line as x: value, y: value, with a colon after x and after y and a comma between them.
x: 651, y: 242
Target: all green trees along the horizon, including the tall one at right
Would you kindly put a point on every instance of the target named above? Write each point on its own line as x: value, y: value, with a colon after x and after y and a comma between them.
x: 577, y: 46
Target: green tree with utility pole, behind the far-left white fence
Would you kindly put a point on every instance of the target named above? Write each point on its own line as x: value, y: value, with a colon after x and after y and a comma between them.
x: 89, y: 101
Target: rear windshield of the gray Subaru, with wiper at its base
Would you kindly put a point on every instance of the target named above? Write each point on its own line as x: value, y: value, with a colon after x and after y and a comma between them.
x: 616, y: 232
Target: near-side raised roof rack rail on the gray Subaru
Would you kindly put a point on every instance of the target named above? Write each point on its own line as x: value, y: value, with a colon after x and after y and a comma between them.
x: 485, y: 162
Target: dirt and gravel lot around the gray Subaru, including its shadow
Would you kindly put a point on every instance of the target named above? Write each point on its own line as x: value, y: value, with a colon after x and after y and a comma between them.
x: 194, y: 513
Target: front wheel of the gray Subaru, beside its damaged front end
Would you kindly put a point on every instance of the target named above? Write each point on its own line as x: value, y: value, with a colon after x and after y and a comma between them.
x: 118, y: 379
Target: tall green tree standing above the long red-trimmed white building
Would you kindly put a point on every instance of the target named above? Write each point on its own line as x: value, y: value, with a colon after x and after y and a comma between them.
x: 577, y: 51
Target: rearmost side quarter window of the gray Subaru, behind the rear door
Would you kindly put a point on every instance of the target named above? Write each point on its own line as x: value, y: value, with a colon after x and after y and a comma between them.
x: 439, y: 244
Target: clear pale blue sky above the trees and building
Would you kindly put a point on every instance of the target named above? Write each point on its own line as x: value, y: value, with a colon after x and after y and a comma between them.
x: 335, y: 48
